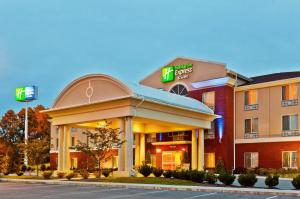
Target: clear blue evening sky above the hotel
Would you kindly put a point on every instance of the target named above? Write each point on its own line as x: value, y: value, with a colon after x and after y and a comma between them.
x: 52, y: 42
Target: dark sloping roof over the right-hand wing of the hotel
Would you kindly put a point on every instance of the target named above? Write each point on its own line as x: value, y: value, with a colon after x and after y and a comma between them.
x: 273, y: 77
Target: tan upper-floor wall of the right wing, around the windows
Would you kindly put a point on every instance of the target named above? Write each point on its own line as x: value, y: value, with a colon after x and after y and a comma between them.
x: 269, y: 112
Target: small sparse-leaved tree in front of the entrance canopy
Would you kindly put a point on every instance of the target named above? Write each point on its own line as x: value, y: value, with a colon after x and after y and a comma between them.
x: 100, y: 143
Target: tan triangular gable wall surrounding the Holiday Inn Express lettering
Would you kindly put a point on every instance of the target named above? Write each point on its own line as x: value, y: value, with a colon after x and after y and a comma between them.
x: 202, y: 70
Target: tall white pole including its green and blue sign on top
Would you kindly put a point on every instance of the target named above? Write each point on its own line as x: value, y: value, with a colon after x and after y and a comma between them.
x: 26, y: 94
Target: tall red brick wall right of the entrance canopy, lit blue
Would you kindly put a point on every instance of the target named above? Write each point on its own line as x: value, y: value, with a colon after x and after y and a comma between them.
x: 224, y: 106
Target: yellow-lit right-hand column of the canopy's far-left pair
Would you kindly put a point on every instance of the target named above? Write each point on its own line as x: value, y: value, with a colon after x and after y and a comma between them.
x: 66, y: 148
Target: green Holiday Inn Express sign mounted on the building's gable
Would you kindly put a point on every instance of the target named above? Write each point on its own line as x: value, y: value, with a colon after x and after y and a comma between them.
x: 170, y: 73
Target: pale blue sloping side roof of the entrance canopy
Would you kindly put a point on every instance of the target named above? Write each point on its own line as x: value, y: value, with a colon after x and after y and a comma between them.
x: 163, y: 97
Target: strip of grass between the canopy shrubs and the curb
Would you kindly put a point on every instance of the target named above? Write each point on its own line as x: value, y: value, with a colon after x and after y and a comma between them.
x: 149, y: 180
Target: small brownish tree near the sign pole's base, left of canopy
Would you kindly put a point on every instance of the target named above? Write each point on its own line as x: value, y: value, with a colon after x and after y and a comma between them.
x: 37, y: 151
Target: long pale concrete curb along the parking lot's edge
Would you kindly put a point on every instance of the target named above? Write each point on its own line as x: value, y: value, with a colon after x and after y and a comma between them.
x: 250, y: 191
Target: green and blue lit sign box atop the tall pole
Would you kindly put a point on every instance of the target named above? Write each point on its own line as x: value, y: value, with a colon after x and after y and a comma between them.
x: 26, y: 94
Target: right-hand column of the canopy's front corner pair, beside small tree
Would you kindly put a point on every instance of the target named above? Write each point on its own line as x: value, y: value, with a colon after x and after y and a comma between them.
x: 128, y: 144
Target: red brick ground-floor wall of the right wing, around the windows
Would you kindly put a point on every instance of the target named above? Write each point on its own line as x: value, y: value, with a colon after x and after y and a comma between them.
x: 269, y: 154
